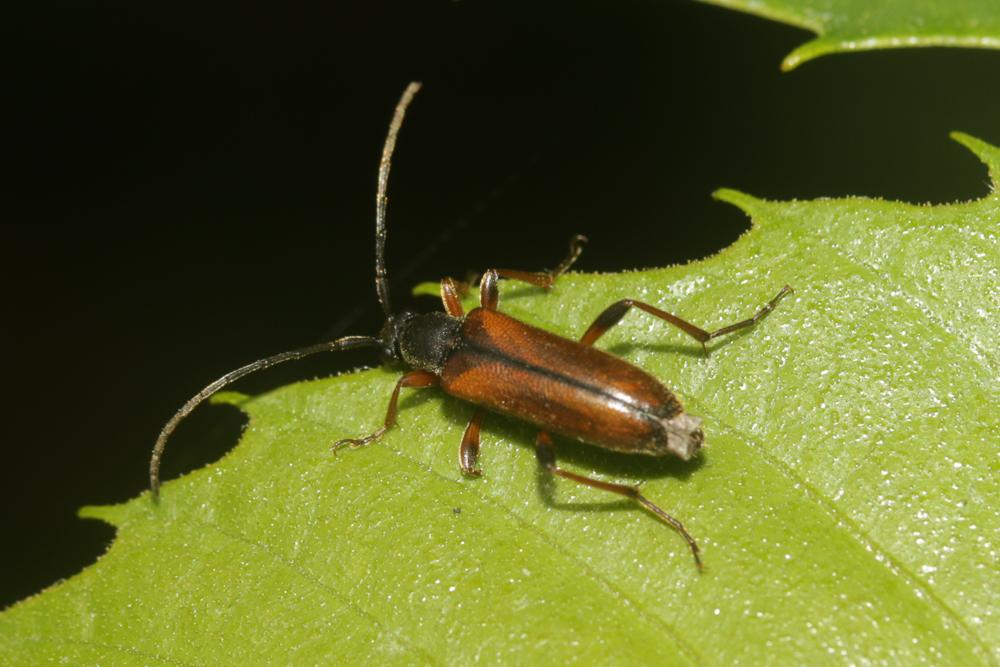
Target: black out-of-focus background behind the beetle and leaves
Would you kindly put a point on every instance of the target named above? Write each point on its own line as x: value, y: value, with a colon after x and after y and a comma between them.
x: 191, y: 189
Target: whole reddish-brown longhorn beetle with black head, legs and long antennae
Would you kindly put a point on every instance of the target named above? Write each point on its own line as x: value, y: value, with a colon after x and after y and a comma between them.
x: 502, y: 365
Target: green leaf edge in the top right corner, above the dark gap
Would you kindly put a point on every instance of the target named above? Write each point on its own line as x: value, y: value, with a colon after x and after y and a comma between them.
x: 863, y: 25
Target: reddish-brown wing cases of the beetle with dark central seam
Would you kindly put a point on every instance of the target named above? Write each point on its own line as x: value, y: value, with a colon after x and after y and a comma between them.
x: 560, y: 386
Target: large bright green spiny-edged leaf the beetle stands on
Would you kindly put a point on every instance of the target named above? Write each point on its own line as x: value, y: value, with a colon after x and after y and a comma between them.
x: 847, y: 500
